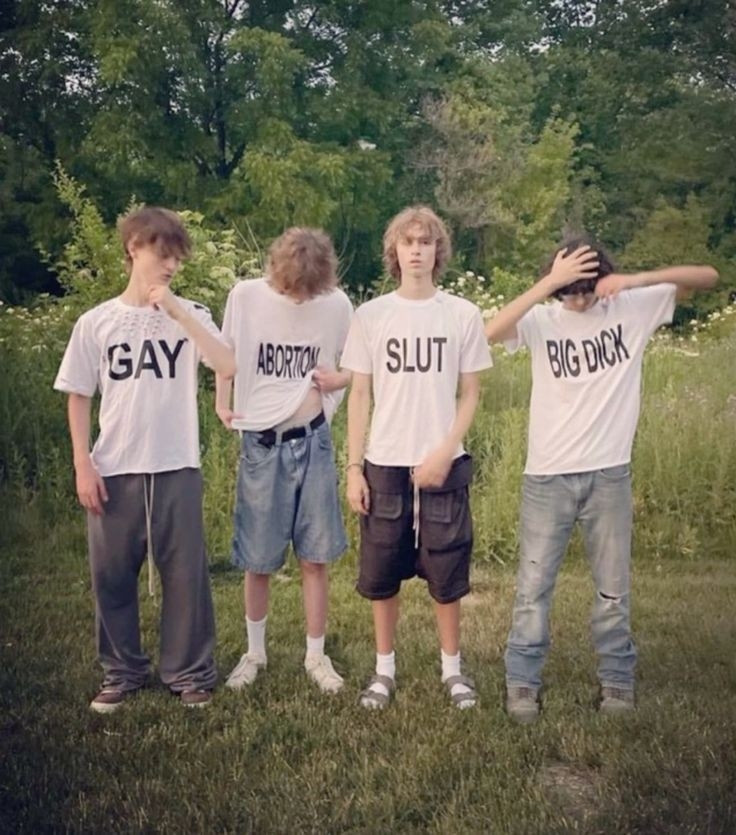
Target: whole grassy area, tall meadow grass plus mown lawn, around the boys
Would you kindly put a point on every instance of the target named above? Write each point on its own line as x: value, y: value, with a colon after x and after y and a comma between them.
x: 281, y: 758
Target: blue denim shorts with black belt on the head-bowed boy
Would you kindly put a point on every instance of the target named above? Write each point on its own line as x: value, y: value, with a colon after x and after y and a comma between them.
x: 287, y: 493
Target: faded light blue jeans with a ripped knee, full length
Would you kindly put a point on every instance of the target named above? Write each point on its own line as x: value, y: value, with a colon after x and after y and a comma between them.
x: 551, y: 505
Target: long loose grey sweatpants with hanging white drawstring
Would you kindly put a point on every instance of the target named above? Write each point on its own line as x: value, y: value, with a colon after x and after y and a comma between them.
x: 117, y: 548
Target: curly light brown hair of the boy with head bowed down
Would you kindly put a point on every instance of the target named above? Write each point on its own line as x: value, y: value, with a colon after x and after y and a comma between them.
x: 302, y: 260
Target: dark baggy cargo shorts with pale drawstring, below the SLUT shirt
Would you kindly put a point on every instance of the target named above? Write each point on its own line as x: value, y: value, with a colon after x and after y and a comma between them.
x: 388, y: 549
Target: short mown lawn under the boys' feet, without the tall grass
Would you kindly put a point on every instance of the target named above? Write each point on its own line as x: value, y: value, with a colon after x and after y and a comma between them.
x: 283, y: 758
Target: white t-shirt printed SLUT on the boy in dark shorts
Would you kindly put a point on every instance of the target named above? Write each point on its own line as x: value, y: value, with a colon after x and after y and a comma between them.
x: 415, y: 351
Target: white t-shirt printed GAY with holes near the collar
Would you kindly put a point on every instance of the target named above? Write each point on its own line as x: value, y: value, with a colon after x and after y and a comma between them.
x: 145, y: 367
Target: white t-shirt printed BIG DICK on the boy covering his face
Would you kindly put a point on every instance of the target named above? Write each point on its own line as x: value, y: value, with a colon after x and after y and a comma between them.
x: 586, y: 378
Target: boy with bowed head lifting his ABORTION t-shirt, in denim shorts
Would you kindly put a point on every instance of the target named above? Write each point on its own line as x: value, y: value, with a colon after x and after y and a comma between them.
x: 287, y: 330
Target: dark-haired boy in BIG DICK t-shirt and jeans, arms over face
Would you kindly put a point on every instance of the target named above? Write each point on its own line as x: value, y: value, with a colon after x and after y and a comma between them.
x: 586, y: 352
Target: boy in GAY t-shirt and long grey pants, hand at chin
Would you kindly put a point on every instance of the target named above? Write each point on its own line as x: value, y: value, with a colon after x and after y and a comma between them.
x: 141, y: 484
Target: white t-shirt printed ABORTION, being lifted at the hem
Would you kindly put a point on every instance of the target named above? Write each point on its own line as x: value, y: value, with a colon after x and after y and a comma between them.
x: 278, y: 342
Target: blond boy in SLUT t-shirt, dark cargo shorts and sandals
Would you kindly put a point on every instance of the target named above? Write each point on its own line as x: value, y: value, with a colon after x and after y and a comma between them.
x: 409, y: 350
